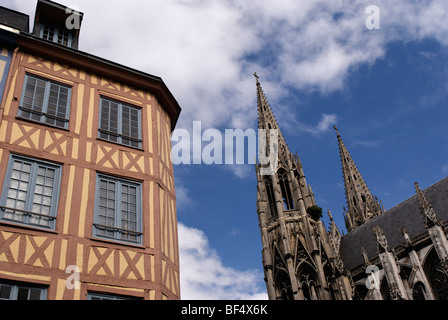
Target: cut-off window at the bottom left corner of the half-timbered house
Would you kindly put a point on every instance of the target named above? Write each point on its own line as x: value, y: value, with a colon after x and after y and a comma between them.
x: 21, y: 291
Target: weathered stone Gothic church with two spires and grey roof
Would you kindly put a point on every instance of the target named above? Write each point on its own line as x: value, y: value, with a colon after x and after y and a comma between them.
x: 396, y: 254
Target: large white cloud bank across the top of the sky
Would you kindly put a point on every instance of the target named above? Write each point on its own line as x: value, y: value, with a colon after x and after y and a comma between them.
x: 207, y: 50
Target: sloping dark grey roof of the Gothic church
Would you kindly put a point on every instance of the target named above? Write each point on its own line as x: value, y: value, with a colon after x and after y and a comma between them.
x: 406, y: 214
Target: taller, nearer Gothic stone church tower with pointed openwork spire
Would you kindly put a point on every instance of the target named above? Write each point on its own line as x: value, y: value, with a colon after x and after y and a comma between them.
x: 301, y: 261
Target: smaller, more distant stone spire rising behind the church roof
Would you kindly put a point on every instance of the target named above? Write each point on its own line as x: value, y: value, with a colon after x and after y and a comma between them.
x: 362, y: 205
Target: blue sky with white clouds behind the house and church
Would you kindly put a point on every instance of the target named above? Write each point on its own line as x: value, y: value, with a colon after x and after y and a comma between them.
x: 383, y: 82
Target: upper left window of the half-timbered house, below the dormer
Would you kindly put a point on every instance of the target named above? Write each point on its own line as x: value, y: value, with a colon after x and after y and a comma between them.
x: 45, y: 101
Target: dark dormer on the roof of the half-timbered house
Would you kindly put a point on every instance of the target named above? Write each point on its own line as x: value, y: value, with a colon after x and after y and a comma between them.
x: 57, y: 23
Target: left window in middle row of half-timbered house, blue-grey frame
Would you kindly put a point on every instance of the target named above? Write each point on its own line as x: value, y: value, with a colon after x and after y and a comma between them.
x: 30, y: 192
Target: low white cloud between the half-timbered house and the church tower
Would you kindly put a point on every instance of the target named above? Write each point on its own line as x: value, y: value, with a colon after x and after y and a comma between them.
x: 205, y: 277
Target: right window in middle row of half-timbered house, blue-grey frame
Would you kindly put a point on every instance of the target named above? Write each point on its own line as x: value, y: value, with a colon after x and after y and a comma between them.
x: 118, y: 209
